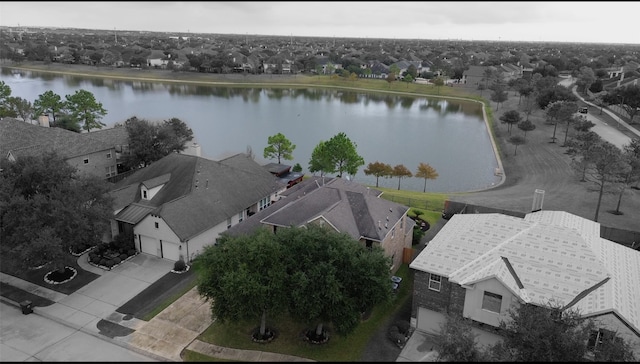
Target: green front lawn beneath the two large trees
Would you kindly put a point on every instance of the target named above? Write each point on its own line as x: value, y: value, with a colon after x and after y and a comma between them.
x: 289, y: 338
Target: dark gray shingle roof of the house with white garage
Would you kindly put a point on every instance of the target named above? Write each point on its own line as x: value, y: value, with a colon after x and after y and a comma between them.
x: 200, y: 193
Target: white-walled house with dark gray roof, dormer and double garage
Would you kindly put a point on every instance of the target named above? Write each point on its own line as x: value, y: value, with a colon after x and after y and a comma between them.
x: 181, y: 203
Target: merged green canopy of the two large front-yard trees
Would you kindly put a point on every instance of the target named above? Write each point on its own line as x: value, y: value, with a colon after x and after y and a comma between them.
x: 313, y: 273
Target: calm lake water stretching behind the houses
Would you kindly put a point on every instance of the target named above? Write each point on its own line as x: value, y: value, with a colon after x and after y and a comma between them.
x: 450, y: 135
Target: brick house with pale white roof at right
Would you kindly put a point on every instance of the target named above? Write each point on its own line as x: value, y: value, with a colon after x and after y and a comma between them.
x: 480, y: 265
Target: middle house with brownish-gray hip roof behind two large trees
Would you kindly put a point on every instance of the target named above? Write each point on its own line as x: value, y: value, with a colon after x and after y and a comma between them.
x: 344, y: 206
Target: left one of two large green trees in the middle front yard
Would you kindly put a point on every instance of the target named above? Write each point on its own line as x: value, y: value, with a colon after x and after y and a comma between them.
x: 243, y: 277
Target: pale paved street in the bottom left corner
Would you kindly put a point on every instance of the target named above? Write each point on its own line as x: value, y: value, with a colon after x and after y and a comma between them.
x: 36, y: 338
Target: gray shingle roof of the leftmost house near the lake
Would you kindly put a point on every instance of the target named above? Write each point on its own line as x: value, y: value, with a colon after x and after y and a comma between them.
x: 22, y: 138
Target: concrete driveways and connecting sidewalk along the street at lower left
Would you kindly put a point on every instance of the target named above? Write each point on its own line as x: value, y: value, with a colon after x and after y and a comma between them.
x: 92, y: 309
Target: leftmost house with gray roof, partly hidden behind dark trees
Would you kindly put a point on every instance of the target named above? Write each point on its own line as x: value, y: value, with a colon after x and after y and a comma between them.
x: 88, y: 154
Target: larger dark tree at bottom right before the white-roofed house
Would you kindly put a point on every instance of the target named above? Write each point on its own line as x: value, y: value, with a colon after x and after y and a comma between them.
x: 547, y: 333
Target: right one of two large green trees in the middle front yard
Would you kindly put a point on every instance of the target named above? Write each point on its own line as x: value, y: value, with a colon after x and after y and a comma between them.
x: 332, y: 278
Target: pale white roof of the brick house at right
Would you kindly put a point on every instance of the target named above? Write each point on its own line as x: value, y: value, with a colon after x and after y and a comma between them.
x: 556, y: 256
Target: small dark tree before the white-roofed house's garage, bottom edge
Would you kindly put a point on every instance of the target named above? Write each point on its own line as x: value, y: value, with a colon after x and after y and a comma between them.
x: 456, y: 341
